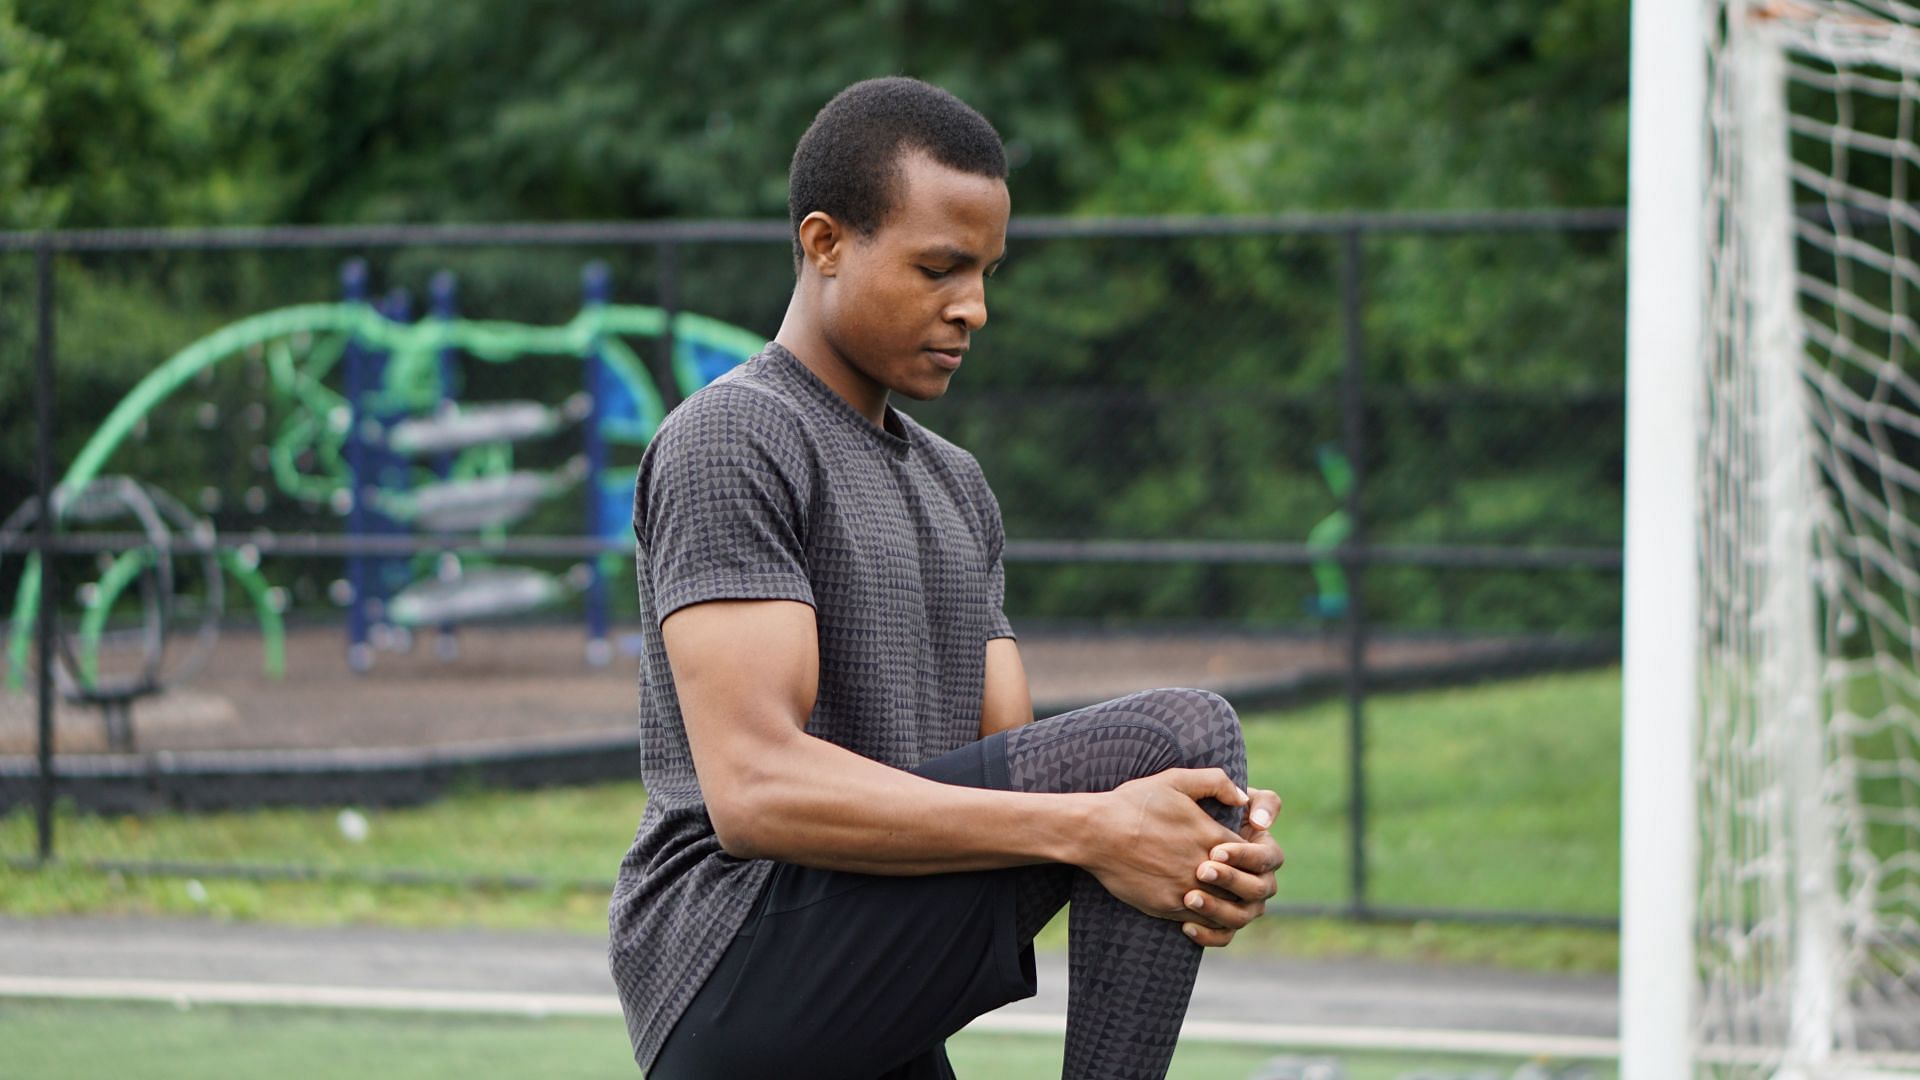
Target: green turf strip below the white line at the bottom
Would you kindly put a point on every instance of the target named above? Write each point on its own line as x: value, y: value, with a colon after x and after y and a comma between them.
x: 160, y: 1043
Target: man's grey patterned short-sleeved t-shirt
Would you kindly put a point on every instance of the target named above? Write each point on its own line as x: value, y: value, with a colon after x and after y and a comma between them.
x: 769, y: 485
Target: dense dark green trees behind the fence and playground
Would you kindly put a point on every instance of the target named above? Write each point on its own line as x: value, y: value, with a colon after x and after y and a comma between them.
x: 1128, y: 389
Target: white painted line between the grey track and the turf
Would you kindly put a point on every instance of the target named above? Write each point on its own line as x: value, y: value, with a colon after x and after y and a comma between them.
x: 1508, y: 1044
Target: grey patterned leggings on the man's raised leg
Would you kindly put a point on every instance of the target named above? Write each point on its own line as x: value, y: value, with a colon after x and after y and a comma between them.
x: 1132, y: 975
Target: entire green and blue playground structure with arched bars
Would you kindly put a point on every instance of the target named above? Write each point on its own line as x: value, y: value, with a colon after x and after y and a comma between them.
x: 372, y: 430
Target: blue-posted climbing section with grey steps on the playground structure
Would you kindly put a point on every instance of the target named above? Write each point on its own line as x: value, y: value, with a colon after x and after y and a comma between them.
x: 418, y: 458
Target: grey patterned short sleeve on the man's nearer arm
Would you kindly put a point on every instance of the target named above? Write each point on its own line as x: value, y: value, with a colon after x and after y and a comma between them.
x: 721, y: 504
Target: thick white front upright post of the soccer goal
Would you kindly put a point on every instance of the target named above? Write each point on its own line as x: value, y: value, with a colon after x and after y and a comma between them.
x: 1666, y: 268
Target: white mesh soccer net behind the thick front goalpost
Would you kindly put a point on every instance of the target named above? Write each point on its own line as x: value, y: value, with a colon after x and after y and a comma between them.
x: 1806, y: 754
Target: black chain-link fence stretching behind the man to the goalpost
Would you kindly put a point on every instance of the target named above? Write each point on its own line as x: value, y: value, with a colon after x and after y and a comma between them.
x: 1297, y: 460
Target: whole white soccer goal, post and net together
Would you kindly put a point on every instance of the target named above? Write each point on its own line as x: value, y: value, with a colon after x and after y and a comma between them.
x: 1771, y: 812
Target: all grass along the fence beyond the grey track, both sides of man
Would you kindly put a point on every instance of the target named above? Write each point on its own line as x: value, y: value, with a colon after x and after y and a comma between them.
x: 1499, y: 797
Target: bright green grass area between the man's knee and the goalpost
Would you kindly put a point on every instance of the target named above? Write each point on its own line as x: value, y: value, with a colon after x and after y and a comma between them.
x: 1500, y: 797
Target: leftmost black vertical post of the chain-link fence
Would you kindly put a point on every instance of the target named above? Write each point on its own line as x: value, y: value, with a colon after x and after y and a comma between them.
x: 43, y: 481
